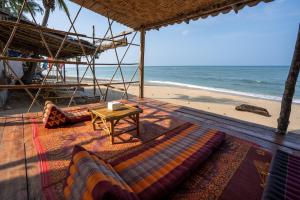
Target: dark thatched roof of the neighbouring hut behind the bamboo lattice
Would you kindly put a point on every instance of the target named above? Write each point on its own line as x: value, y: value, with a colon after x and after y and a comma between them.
x: 28, y: 39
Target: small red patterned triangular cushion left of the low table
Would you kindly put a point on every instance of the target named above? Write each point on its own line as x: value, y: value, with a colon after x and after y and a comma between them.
x: 53, y: 116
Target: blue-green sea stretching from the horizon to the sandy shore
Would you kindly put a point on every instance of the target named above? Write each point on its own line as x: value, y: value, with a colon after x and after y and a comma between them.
x: 266, y: 82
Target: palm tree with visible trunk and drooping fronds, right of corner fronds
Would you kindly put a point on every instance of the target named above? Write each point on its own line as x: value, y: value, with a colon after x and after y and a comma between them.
x: 49, y: 5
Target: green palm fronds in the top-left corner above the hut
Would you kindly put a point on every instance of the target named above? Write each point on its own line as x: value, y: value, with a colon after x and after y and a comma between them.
x: 14, y: 6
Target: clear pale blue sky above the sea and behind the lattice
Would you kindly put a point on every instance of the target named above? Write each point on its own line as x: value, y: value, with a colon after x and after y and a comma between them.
x: 261, y: 35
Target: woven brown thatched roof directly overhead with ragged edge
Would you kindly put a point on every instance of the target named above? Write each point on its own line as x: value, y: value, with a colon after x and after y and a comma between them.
x: 153, y: 14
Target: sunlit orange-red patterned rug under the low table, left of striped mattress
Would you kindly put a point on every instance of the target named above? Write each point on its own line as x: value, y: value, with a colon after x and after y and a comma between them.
x: 54, y: 146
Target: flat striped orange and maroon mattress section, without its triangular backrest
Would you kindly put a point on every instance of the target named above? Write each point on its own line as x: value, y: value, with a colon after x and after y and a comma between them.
x: 157, y: 169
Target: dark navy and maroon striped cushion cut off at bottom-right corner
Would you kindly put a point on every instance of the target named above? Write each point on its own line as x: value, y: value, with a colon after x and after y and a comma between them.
x: 284, y: 177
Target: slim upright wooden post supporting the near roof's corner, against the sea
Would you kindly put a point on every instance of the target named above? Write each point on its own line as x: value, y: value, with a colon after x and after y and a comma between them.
x: 141, y: 65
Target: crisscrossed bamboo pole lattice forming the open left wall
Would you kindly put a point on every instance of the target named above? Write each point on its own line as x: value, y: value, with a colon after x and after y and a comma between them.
x: 90, y: 60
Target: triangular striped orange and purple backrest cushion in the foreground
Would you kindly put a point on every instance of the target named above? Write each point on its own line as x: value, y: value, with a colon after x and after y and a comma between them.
x: 89, y: 177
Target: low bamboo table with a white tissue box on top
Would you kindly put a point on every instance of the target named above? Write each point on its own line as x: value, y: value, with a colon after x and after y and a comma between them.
x: 104, y: 115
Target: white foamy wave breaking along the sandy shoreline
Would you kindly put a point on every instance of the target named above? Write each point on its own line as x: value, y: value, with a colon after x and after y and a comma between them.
x: 248, y: 94
